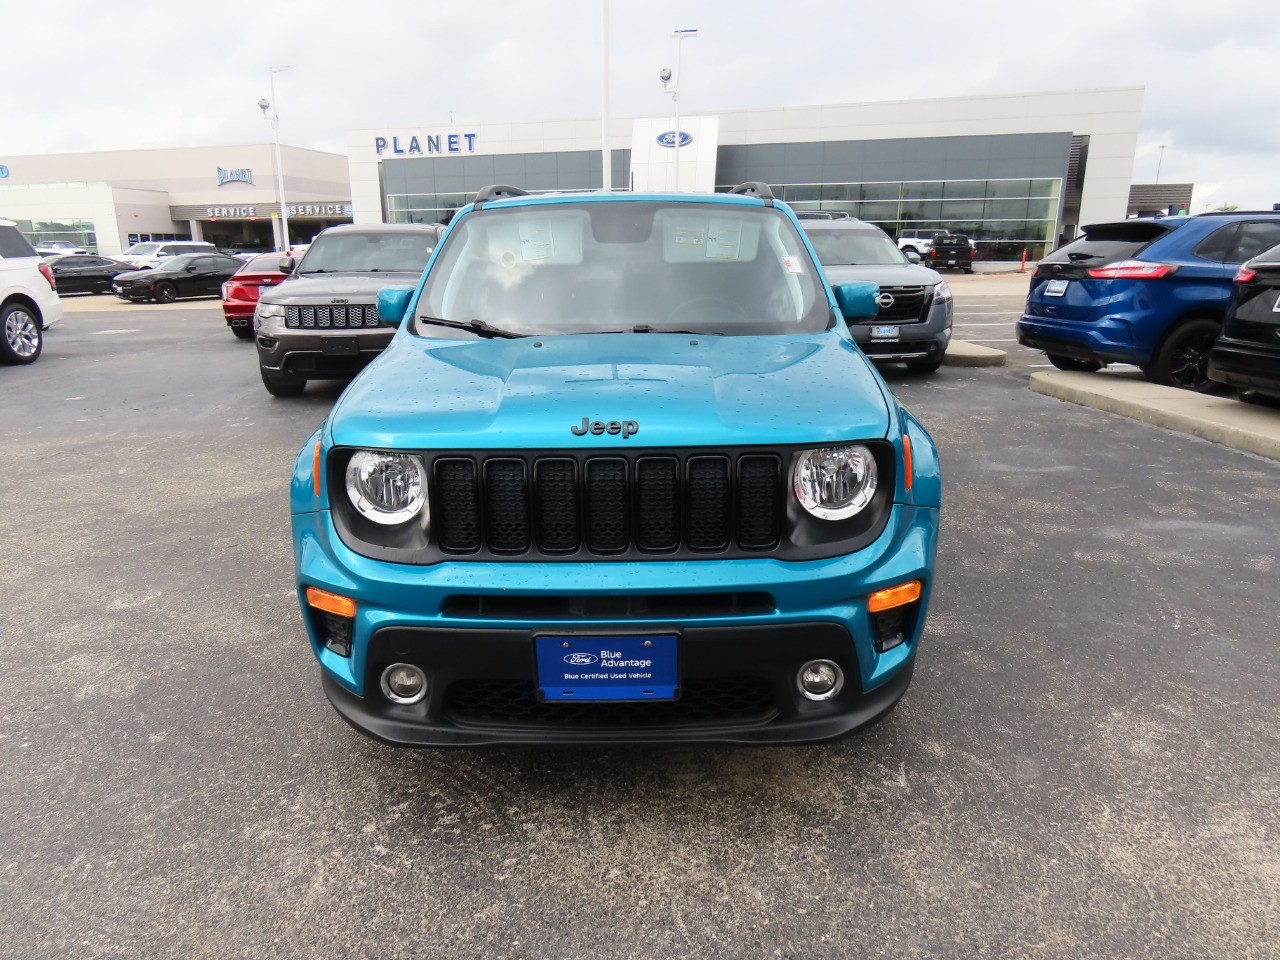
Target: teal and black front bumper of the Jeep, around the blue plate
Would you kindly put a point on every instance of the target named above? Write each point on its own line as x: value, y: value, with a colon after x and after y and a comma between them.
x: 738, y: 669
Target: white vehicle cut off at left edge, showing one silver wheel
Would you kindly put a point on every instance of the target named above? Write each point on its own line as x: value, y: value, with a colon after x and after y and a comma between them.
x: 29, y: 298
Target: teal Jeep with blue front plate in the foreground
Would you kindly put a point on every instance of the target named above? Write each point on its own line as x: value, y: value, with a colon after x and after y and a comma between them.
x: 623, y: 476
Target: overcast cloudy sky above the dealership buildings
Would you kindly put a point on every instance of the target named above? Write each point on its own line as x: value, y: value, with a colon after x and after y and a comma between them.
x: 107, y: 76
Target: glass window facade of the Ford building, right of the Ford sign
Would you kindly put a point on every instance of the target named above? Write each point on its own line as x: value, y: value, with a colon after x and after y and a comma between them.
x: 1003, y: 217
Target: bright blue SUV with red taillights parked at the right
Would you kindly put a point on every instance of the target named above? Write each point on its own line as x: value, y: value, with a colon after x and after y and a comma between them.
x: 1150, y: 291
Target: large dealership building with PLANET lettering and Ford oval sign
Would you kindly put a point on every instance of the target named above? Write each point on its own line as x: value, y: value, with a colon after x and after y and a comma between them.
x: 1016, y: 172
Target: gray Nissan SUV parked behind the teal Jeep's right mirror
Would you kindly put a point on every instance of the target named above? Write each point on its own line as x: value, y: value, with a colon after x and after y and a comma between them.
x: 915, y: 321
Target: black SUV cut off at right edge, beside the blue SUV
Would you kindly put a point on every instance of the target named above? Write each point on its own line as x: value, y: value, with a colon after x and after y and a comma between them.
x: 1247, y: 355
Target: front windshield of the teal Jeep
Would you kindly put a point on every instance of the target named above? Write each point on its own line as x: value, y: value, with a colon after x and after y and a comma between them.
x: 624, y: 267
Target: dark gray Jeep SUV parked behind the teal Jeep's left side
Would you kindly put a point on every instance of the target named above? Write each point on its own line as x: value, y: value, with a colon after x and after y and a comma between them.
x: 322, y: 323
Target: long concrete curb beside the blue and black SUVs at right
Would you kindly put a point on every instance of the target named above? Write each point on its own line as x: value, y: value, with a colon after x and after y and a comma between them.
x: 1219, y: 419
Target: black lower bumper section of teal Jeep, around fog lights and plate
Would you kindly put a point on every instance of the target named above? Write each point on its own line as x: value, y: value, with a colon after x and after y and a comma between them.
x: 739, y: 688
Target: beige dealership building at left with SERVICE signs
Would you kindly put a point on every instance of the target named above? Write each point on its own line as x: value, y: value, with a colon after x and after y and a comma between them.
x: 226, y: 195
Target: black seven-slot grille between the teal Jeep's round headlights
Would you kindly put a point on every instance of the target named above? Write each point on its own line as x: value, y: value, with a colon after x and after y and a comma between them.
x: 607, y: 505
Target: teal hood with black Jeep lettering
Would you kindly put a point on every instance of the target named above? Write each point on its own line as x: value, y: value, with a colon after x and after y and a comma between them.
x: 533, y: 394
